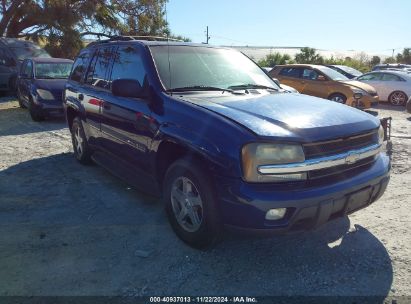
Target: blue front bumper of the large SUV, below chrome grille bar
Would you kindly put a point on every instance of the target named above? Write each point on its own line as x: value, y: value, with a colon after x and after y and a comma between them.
x: 244, y: 205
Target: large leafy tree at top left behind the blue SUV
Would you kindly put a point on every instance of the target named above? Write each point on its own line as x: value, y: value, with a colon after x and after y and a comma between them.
x: 61, y: 24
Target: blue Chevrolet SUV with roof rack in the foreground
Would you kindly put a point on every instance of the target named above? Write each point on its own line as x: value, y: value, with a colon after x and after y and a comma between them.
x: 208, y: 130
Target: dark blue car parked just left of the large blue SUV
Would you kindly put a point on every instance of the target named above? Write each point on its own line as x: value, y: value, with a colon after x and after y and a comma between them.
x: 40, y: 86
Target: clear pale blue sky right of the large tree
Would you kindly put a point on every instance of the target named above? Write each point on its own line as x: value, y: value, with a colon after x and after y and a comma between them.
x: 375, y: 26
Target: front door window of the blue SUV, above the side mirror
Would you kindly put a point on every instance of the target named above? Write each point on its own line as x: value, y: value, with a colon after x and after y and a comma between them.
x: 128, y: 64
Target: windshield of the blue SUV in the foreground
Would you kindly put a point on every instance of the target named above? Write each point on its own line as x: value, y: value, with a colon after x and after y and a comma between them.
x: 206, y: 67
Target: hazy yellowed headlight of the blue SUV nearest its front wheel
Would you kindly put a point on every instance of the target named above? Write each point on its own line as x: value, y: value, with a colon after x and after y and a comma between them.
x: 258, y: 154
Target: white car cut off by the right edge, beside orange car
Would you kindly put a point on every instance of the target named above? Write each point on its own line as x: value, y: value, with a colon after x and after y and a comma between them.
x: 392, y: 86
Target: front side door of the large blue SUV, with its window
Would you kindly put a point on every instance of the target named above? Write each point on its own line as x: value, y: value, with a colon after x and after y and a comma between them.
x: 127, y: 125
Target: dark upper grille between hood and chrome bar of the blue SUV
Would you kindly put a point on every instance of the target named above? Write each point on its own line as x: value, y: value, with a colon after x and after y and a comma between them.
x: 341, y: 145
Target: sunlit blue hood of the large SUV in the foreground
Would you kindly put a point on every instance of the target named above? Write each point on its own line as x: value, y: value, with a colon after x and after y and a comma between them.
x: 294, y: 117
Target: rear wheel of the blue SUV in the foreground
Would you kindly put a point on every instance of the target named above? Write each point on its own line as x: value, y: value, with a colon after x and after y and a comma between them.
x: 82, y: 151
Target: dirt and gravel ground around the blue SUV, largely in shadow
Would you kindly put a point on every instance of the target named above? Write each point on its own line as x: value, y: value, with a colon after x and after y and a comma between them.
x: 68, y: 229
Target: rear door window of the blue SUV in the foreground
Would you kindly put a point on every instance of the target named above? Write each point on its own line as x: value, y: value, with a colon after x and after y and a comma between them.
x: 97, y: 73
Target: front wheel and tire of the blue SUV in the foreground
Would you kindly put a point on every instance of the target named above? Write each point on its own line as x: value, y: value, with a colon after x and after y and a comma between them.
x: 187, y: 183
